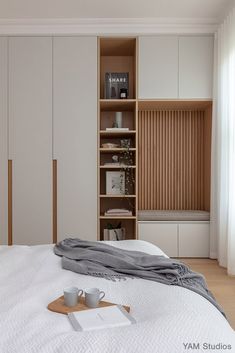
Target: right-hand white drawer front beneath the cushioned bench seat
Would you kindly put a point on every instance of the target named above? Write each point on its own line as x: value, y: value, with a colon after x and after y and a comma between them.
x: 194, y: 240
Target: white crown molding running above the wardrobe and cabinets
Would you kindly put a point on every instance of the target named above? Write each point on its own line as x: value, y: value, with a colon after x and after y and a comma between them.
x: 108, y: 26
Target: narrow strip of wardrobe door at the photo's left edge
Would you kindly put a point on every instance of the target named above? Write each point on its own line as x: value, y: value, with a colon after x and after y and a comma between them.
x: 3, y: 142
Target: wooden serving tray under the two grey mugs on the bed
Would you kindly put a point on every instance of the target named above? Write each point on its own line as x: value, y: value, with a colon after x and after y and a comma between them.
x: 58, y: 306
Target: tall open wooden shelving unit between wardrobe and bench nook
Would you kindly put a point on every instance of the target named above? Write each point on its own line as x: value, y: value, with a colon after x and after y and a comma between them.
x: 117, y: 55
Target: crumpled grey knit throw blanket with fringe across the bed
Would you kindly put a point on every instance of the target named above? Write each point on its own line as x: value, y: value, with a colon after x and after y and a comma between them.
x: 106, y: 261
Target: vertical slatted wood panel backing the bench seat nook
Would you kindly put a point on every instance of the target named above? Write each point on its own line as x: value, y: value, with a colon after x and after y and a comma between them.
x: 171, y: 160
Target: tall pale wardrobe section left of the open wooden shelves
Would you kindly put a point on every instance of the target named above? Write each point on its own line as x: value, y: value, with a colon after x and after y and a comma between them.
x: 48, y: 96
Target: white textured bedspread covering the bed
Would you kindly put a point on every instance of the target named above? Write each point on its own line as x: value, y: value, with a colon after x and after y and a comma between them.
x: 167, y: 316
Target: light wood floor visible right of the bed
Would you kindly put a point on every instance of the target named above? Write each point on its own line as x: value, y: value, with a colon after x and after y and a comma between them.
x: 220, y: 284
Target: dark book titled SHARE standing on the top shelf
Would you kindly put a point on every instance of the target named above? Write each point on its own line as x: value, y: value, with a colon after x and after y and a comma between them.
x: 114, y: 82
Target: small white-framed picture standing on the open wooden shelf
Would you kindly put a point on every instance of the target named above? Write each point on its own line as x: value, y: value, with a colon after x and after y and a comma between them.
x: 115, y: 183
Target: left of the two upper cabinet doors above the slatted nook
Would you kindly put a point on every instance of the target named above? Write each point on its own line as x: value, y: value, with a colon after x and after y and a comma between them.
x: 158, y: 67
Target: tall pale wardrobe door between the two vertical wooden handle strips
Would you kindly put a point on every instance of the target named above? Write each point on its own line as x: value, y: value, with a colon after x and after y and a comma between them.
x: 30, y: 119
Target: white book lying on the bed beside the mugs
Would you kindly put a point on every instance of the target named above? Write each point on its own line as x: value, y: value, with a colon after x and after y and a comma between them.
x: 100, y: 318
